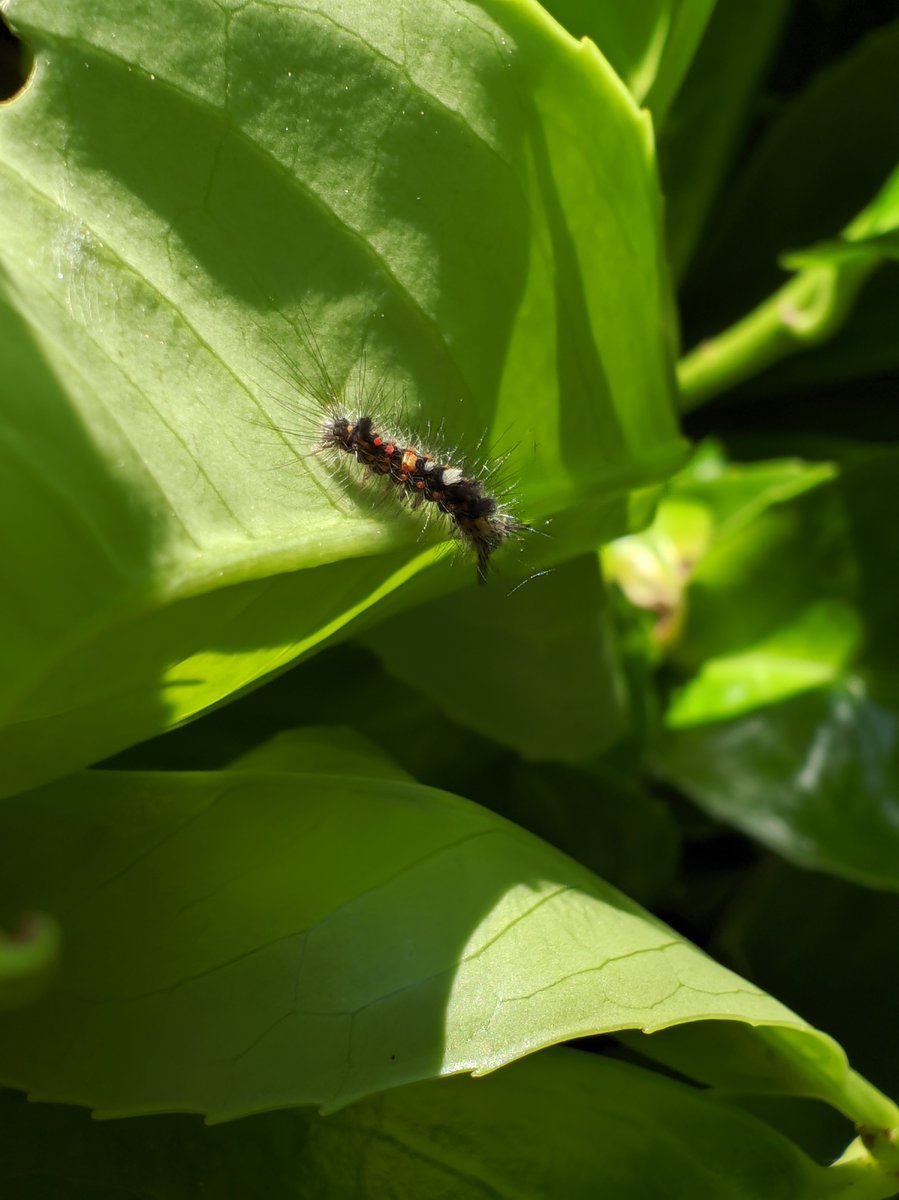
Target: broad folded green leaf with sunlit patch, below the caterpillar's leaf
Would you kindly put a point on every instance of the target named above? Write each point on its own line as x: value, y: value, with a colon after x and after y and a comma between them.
x: 238, y: 943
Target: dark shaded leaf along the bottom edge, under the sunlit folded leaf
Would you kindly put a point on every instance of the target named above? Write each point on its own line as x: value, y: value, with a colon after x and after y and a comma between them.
x: 561, y: 1124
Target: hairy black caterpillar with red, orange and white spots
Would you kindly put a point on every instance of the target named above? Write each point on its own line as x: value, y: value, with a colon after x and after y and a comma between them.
x: 480, y: 520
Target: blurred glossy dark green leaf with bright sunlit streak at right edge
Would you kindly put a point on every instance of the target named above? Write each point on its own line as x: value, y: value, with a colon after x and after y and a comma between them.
x: 783, y: 719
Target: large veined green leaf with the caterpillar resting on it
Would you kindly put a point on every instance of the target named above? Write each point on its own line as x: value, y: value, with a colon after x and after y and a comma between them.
x: 181, y: 197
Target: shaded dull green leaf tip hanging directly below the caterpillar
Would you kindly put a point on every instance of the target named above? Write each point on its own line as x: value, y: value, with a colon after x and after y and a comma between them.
x: 552, y: 638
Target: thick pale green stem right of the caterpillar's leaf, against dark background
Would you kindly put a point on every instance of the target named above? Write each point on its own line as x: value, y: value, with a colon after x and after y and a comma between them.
x: 808, y: 309
